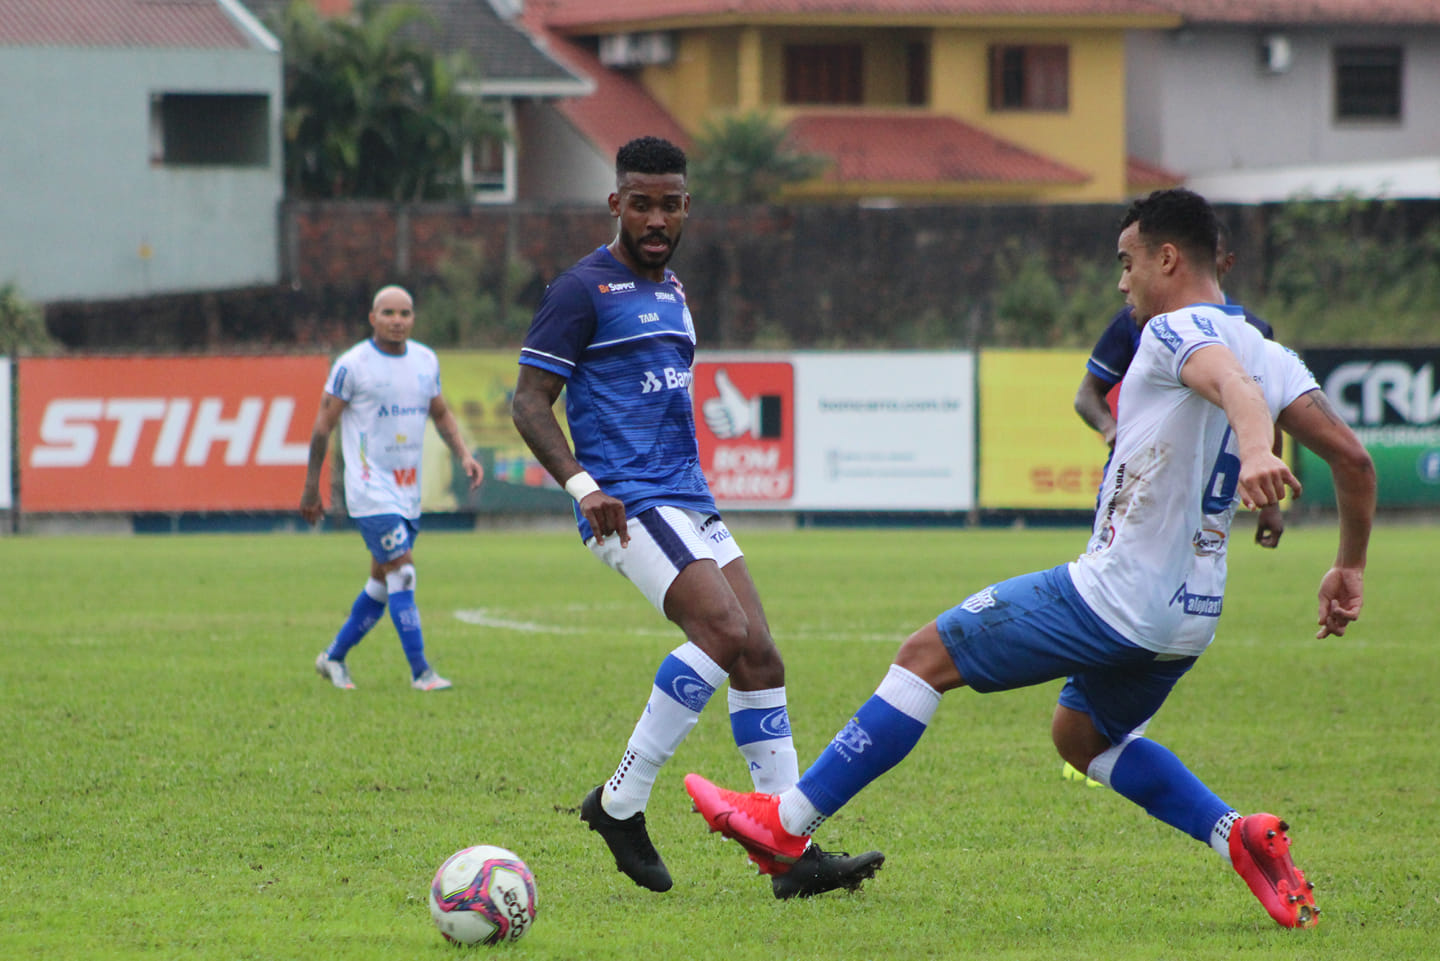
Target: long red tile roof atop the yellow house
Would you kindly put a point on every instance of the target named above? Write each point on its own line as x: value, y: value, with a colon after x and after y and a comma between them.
x: 581, y: 14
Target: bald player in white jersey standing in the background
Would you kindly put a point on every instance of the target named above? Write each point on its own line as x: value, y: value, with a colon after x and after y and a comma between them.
x: 382, y: 393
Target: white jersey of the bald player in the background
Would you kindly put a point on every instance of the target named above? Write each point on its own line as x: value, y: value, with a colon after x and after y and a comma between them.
x: 382, y: 430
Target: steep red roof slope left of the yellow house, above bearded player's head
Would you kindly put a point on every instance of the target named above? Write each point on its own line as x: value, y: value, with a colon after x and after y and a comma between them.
x: 620, y: 109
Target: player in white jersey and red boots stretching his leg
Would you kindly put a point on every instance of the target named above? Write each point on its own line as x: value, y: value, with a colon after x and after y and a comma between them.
x: 1125, y: 622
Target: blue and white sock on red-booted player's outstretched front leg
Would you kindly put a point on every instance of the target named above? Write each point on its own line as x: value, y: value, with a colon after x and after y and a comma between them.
x: 876, y: 740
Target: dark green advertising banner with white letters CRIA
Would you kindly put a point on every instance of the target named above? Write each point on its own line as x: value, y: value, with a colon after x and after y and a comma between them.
x: 1390, y: 398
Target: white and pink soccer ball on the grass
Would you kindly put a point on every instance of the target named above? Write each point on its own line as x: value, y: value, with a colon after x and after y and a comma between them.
x: 483, y: 895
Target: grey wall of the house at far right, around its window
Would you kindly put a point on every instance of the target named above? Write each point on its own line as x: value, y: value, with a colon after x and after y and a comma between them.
x: 1199, y: 102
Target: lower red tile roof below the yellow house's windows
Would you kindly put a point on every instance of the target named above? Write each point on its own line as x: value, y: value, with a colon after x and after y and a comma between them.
x: 878, y: 148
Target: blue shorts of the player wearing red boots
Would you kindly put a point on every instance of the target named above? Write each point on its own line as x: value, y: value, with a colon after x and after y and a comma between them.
x: 1036, y: 629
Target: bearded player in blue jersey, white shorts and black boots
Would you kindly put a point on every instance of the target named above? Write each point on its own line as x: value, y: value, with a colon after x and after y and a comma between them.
x: 616, y: 334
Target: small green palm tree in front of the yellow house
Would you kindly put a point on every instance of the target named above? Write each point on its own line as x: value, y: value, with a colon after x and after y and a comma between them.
x: 748, y: 159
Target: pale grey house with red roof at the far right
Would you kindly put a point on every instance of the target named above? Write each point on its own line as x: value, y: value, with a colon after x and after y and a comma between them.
x: 1259, y: 100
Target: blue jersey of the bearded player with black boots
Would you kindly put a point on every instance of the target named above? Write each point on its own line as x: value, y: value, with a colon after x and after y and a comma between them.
x: 626, y: 348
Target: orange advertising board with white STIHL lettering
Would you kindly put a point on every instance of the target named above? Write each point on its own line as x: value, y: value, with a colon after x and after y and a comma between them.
x: 166, y: 434
